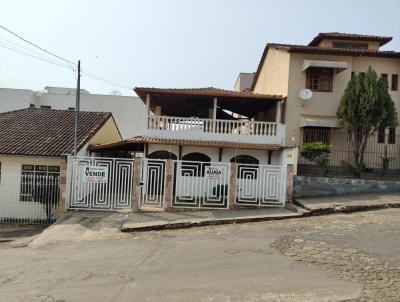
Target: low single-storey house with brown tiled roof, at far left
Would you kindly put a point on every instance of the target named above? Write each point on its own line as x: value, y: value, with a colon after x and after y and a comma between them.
x: 33, y: 148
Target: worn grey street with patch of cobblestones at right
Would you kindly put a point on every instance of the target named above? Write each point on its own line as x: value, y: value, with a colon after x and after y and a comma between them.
x: 344, y: 257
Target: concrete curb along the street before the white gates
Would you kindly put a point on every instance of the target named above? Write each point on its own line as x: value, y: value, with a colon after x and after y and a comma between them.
x: 180, y: 224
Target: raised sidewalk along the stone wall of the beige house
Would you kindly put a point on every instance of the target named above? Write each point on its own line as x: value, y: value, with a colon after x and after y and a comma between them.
x: 349, y: 203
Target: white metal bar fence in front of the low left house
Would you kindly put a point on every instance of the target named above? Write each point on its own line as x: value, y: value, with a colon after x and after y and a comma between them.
x: 29, y: 198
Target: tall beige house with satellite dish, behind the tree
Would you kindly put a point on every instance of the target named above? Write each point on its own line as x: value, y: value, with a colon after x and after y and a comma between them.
x: 324, y: 66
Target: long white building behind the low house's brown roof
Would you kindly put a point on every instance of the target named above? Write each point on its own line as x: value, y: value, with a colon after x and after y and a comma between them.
x: 125, y: 109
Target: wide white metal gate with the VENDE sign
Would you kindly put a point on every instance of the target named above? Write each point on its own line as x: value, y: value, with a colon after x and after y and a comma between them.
x: 110, y: 193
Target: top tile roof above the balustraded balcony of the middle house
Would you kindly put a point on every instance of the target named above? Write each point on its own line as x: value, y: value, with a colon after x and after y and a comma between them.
x: 208, y: 92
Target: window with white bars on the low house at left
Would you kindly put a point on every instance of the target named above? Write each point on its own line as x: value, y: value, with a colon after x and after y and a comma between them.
x: 39, y: 183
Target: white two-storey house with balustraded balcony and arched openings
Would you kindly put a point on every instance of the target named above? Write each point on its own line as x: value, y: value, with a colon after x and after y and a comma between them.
x: 225, y: 149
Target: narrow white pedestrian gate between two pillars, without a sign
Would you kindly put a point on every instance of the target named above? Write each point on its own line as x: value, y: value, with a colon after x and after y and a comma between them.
x: 153, y: 183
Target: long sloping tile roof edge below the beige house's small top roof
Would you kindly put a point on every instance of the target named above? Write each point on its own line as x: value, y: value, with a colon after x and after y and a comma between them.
x: 291, y: 48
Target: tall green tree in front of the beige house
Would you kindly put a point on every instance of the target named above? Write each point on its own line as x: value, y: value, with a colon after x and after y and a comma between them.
x: 365, y: 106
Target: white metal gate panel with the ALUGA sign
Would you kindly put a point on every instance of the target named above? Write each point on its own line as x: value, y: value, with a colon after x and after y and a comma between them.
x: 201, y: 184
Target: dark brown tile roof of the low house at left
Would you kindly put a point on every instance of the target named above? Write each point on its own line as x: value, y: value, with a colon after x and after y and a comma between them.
x: 46, y: 132
